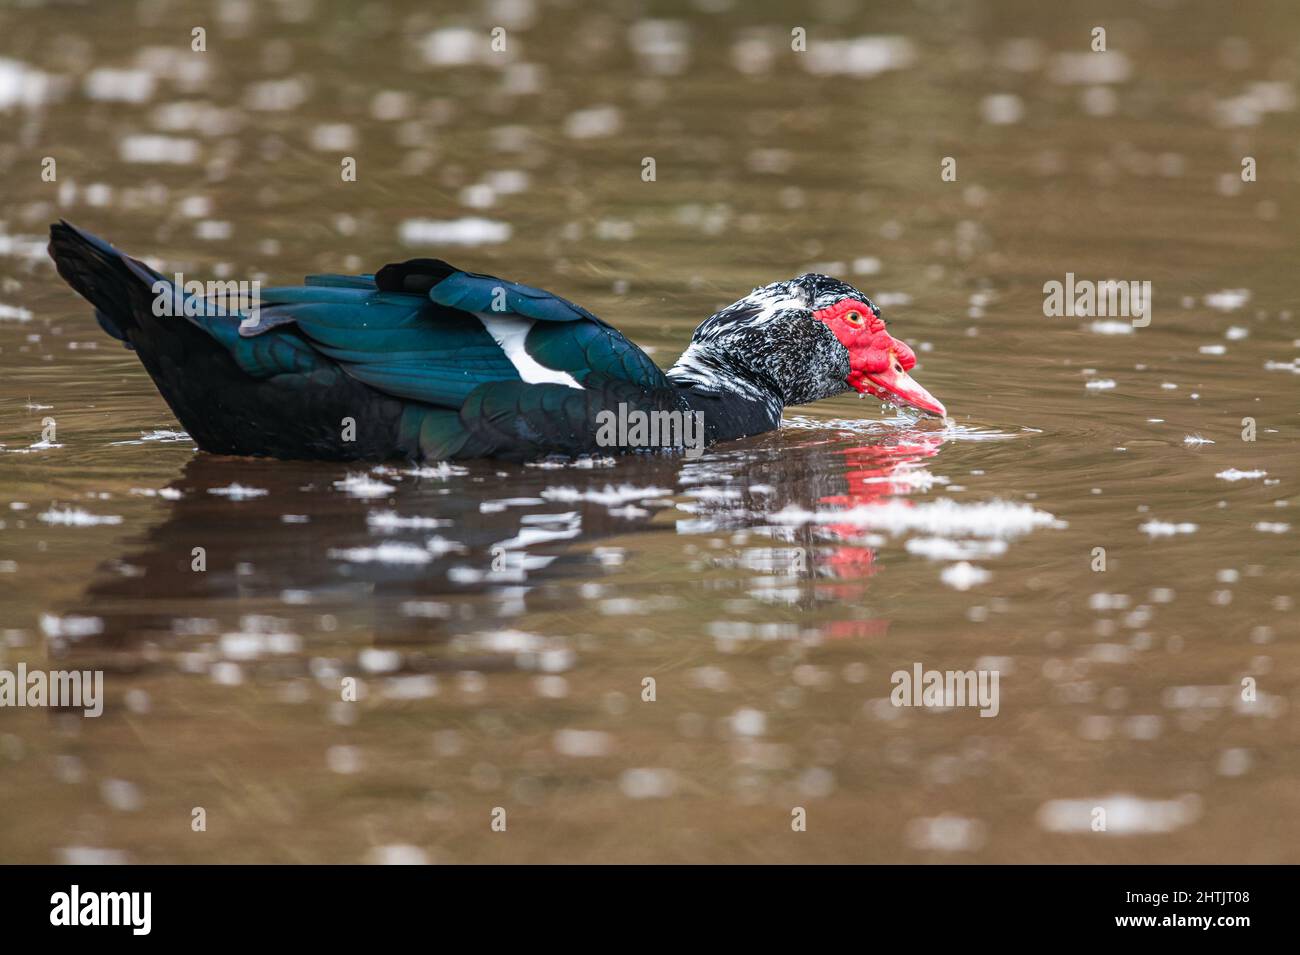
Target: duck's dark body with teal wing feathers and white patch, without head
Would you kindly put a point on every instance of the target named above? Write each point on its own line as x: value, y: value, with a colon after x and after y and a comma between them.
x: 421, y: 361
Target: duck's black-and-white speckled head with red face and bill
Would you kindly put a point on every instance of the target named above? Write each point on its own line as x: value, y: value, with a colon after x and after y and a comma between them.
x: 809, y: 338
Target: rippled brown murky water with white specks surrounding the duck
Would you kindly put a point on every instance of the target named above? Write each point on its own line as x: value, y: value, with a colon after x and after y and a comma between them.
x: 770, y: 589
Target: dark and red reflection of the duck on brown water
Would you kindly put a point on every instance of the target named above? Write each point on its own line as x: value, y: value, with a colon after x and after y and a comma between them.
x: 419, y: 553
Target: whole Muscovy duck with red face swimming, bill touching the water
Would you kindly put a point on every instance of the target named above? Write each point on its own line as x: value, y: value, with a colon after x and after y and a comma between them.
x: 426, y: 362
